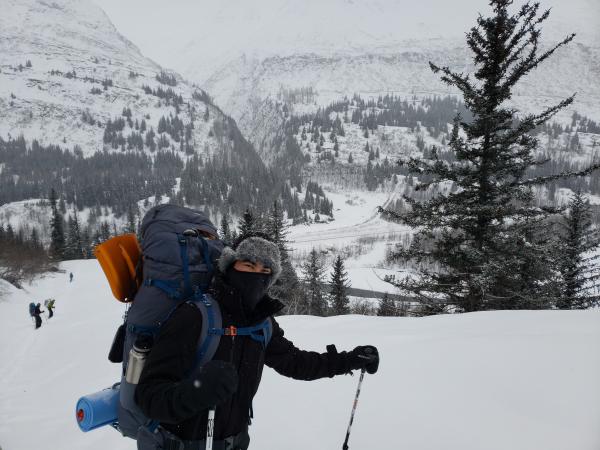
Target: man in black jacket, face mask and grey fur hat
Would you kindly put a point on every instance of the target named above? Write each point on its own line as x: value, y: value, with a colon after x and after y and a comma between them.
x: 167, y: 393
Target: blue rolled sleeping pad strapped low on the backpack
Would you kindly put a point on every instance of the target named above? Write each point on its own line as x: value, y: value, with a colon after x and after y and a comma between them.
x: 98, y: 409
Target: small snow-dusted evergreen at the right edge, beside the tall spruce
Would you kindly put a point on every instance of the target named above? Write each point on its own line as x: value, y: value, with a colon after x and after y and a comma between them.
x: 579, y: 266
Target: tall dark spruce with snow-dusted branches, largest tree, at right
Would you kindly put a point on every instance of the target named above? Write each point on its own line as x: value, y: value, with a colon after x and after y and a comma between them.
x: 470, y: 240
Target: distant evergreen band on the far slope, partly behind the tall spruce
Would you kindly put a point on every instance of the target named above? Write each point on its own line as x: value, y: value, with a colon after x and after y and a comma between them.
x: 433, y: 115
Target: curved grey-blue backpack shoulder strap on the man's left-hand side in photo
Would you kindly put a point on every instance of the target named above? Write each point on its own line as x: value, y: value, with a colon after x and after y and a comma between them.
x: 211, y: 321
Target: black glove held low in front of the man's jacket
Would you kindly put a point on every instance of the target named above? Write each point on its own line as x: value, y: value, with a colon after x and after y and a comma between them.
x: 214, y: 383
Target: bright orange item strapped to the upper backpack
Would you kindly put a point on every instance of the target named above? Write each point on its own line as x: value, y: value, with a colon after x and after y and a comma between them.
x: 119, y: 257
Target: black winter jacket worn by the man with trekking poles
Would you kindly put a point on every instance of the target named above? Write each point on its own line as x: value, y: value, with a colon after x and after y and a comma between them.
x: 163, y: 392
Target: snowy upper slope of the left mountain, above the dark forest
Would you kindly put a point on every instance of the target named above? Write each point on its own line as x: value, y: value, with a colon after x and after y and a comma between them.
x: 65, y: 71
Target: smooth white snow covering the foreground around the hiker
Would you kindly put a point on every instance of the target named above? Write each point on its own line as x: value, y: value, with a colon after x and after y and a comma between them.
x: 519, y: 380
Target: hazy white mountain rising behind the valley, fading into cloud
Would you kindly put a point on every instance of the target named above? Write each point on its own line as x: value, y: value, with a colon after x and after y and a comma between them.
x: 248, y: 54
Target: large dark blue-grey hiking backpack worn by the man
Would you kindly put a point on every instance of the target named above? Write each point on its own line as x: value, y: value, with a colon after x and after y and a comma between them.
x: 179, y: 252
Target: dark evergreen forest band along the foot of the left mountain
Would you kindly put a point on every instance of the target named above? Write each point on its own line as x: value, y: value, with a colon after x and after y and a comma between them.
x: 232, y: 180
